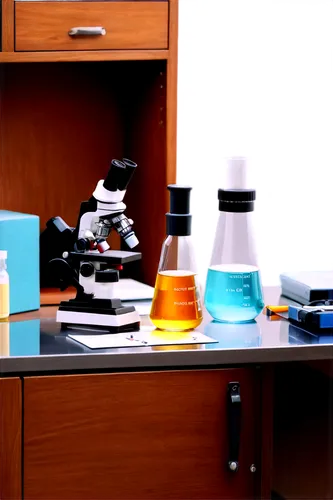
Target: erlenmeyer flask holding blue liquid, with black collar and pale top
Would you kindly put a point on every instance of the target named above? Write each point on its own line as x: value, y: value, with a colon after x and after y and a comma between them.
x: 233, y: 291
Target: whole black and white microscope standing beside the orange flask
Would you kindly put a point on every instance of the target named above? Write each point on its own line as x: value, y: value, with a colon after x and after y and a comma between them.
x: 81, y: 256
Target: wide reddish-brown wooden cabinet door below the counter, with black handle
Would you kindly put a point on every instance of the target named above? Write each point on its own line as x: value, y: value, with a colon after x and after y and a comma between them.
x: 139, y: 436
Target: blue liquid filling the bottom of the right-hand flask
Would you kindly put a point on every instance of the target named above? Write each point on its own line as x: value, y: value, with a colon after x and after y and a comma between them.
x: 233, y: 293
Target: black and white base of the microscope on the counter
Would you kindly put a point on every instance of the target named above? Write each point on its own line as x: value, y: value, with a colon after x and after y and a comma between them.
x: 127, y: 322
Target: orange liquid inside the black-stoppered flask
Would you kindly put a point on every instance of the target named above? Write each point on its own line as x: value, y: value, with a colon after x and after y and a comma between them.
x: 176, y: 304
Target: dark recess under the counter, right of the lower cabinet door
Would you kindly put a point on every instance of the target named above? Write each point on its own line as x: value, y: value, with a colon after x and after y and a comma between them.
x: 303, y: 433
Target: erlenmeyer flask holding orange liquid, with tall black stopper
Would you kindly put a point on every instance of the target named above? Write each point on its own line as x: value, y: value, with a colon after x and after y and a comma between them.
x: 176, y: 304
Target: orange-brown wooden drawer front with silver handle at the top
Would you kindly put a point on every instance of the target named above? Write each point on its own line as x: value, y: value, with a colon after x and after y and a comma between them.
x: 126, y: 25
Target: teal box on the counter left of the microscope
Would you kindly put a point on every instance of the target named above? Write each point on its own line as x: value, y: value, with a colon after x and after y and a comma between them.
x: 19, y: 235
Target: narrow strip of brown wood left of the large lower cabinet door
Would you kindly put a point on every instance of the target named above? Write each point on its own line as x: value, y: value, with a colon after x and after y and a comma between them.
x: 10, y: 439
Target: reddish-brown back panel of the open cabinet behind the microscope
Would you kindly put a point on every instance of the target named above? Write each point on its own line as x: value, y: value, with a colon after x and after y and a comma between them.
x: 60, y: 126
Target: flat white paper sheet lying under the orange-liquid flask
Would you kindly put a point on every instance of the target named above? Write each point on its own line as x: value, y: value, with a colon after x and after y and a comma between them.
x: 143, y: 338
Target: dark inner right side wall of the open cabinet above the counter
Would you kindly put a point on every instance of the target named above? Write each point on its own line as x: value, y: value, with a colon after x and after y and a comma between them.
x: 147, y: 144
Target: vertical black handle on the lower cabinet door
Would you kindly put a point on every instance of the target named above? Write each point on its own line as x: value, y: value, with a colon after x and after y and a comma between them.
x: 234, y: 409
